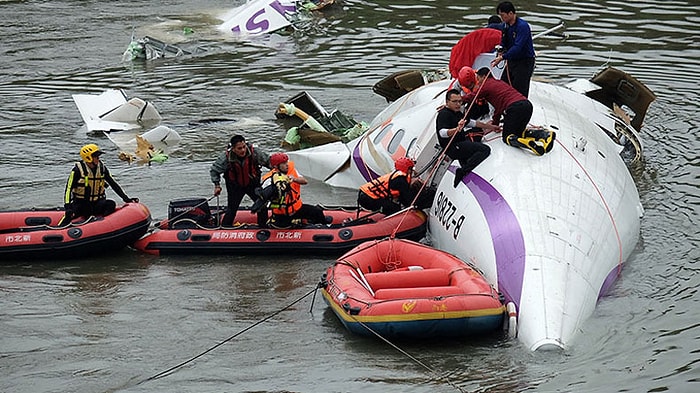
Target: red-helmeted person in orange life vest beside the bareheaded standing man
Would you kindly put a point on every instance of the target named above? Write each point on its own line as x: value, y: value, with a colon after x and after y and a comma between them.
x: 286, y: 205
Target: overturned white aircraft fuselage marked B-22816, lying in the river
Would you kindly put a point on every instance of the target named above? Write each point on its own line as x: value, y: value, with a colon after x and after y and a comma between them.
x: 550, y: 232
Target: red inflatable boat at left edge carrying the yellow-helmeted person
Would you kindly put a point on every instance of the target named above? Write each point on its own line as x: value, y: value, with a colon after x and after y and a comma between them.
x: 29, y: 234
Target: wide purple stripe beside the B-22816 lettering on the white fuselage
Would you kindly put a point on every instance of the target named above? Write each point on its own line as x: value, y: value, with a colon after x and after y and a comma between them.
x: 506, y: 235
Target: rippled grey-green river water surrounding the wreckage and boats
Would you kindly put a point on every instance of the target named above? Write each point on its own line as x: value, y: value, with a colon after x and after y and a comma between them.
x: 110, y: 322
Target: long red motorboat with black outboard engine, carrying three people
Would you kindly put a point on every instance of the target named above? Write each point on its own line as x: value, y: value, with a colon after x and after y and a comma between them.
x: 192, y: 229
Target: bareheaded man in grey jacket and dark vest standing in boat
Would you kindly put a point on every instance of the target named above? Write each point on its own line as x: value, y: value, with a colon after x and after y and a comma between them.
x: 240, y: 164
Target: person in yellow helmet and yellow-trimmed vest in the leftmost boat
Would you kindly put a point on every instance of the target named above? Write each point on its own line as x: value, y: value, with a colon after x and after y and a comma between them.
x: 85, y: 189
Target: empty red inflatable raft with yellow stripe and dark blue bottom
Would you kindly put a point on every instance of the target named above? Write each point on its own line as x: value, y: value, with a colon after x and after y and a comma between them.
x: 403, y: 289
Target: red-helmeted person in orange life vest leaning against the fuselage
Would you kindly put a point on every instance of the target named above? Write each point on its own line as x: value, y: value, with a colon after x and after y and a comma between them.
x: 391, y: 192
